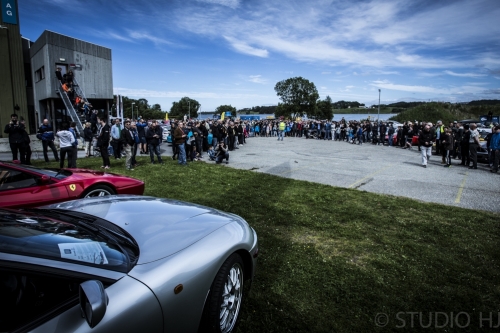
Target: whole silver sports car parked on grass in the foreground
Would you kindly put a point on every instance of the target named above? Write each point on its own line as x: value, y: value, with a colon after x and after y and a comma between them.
x: 123, y: 264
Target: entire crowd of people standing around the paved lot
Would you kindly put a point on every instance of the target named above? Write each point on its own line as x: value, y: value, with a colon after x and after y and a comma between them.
x: 192, y: 140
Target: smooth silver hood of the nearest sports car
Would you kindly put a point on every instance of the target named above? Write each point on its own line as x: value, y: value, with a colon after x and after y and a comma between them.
x: 161, y: 227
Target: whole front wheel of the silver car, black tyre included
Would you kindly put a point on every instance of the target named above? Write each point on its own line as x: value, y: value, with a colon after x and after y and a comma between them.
x: 225, y: 297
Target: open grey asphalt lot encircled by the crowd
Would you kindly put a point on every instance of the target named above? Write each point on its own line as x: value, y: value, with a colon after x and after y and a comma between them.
x: 377, y: 169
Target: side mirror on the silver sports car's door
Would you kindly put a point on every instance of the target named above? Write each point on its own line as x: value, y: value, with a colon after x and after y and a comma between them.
x: 93, y: 301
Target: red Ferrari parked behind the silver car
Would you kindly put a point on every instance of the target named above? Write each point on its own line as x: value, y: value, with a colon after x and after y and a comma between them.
x: 27, y: 186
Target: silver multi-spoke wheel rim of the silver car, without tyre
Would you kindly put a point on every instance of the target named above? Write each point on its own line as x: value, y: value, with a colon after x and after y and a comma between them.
x: 231, y: 298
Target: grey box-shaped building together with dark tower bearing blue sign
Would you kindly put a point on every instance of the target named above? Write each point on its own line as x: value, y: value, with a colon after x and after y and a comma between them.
x: 28, y: 84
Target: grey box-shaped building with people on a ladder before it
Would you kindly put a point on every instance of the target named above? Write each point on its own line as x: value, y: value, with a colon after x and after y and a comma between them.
x: 92, y: 68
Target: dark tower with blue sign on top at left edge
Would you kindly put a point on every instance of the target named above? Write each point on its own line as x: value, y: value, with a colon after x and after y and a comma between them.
x: 12, y: 75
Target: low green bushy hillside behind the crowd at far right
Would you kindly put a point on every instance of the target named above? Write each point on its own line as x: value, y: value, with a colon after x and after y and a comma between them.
x: 446, y: 112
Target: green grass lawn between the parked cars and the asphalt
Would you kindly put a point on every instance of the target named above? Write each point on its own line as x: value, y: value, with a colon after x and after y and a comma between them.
x: 331, y: 259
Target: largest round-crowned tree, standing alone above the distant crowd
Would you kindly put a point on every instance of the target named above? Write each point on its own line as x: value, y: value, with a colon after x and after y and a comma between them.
x: 299, y: 97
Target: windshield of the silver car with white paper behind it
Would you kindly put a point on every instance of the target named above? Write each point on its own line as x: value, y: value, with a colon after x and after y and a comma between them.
x: 46, y: 237
